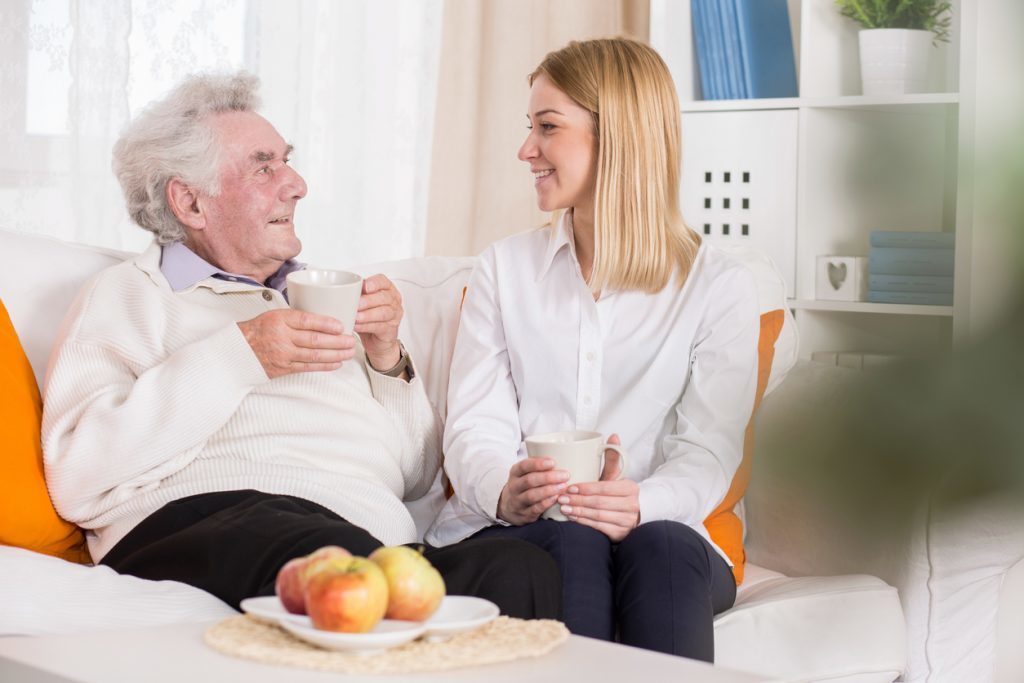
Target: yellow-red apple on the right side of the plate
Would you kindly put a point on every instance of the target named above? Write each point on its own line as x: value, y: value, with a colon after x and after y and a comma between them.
x: 415, y: 587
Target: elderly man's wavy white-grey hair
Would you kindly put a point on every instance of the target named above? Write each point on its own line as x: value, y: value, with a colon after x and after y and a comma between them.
x: 173, y: 139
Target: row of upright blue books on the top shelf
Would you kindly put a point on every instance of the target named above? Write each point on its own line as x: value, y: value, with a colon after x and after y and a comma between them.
x: 744, y: 49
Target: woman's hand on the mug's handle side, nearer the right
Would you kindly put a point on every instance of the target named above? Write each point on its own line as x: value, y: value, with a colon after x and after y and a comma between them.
x: 611, y: 507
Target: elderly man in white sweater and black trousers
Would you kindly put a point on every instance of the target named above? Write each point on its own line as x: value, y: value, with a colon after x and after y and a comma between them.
x: 203, y: 432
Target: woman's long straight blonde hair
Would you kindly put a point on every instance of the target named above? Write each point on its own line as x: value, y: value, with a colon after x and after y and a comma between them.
x: 639, y: 235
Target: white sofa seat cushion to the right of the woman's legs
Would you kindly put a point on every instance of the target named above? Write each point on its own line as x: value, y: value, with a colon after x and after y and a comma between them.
x: 814, y: 629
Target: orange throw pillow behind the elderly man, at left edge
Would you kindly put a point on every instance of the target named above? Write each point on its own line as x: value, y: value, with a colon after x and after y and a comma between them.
x: 27, y: 516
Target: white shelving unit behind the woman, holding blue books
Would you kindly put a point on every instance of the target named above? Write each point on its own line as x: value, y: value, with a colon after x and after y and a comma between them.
x: 836, y: 165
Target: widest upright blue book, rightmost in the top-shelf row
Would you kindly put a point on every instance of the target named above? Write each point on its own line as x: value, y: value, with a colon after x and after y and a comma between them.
x: 766, y: 49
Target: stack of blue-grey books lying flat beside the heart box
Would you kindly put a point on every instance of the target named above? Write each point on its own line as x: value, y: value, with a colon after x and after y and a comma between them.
x: 911, y: 268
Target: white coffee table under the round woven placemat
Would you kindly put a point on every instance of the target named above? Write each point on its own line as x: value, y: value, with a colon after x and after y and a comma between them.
x: 178, y: 655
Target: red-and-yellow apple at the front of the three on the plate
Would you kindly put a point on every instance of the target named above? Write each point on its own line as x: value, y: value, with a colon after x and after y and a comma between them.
x: 350, y: 596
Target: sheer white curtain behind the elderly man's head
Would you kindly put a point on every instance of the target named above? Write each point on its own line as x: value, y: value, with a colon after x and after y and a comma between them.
x: 352, y: 84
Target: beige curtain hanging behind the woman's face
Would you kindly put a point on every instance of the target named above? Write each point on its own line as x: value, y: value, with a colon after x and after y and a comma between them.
x: 481, y: 192
